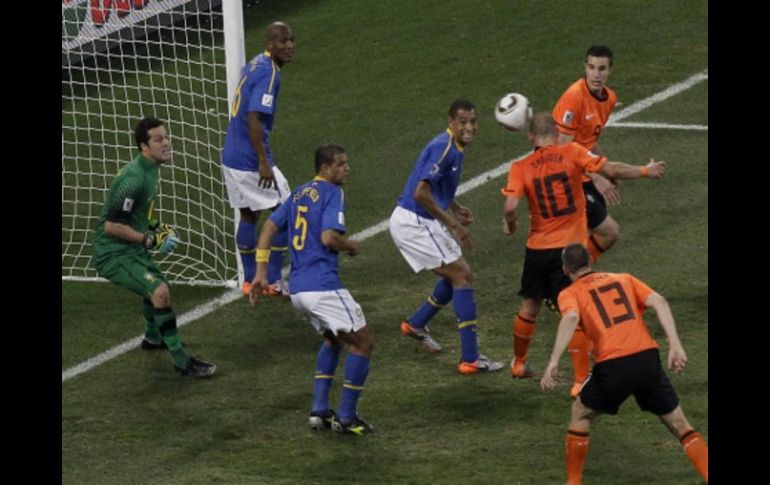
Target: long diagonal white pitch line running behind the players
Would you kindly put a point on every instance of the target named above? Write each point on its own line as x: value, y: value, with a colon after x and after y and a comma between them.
x: 232, y: 295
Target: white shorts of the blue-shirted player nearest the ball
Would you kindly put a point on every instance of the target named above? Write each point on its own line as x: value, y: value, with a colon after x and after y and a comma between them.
x: 424, y: 243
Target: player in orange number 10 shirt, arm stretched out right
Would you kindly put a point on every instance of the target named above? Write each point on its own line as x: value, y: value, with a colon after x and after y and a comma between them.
x: 550, y: 179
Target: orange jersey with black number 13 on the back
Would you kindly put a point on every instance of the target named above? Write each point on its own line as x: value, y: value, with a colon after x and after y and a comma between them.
x: 610, y: 307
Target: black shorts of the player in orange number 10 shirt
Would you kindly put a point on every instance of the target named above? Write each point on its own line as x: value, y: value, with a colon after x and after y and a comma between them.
x: 543, y: 276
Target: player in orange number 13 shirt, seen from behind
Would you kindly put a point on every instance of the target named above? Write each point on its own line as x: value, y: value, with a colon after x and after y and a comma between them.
x: 609, y: 307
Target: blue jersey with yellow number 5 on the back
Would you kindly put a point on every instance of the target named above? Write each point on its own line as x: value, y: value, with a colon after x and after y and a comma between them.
x: 312, y: 209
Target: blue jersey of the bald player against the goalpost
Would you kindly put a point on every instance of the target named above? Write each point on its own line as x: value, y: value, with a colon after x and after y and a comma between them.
x: 257, y: 91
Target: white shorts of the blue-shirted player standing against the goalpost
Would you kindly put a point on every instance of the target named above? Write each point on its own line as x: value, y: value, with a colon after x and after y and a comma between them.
x: 243, y: 189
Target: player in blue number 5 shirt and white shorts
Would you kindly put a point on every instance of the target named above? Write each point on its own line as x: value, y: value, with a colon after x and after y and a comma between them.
x: 314, y: 216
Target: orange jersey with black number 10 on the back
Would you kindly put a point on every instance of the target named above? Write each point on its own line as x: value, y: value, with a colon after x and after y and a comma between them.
x: 550, y: 179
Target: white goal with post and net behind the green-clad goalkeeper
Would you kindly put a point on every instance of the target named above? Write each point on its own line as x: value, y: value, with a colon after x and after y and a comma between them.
x: 172, y: 59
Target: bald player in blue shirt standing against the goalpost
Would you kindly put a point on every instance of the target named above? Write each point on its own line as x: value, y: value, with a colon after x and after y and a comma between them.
x: 254, y: 182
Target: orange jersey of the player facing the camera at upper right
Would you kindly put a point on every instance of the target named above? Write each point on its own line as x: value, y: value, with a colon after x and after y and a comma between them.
x: 582, y: 115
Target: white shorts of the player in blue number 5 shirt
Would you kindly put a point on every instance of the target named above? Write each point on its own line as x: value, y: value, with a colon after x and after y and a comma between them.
x: 334, y: 310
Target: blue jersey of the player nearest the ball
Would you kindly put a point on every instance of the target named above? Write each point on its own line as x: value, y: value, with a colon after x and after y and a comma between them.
x: 440, y: 164
